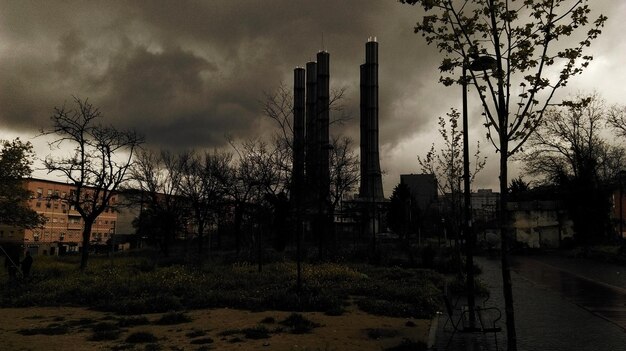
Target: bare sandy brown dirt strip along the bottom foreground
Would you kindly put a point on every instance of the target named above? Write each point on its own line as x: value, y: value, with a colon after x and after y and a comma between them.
x: 345, y: 332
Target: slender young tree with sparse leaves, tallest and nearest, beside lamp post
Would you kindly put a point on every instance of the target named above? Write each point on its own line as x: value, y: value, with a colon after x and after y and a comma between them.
x: 516, y: 42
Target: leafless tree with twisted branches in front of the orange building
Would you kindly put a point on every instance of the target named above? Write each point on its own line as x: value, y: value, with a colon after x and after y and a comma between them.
x: 102, y: 156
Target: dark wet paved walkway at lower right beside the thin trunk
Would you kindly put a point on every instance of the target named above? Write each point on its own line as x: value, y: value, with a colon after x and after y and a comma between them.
x: 558, y: 306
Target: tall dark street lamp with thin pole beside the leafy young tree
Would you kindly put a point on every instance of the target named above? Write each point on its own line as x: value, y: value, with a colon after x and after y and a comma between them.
x: 478, y: 63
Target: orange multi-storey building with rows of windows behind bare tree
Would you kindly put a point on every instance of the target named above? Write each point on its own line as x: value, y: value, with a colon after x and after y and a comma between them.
x: 63, y: 229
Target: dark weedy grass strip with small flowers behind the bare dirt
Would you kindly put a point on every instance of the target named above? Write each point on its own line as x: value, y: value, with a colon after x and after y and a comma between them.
x: 140, y: 283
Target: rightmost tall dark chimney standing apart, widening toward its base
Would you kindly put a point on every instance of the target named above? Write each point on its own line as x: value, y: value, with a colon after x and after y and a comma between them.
x: 371, y: 178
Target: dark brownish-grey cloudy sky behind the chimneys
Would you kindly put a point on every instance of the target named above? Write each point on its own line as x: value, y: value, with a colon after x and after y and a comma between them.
x: 187, y: 73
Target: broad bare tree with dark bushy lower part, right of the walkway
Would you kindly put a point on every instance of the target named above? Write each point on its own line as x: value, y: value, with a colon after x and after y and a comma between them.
x: 570, y: 151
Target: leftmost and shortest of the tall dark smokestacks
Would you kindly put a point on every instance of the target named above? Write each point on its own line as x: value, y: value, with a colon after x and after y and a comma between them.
x: 298, y: 132
